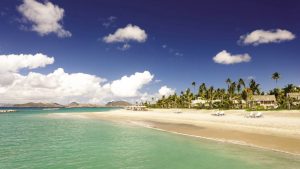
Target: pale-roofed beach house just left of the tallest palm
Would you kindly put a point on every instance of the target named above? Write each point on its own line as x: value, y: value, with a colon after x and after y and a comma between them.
x: 265, y: 101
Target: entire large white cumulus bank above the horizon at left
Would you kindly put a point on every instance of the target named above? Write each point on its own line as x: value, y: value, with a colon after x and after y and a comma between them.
x: 60, y: 86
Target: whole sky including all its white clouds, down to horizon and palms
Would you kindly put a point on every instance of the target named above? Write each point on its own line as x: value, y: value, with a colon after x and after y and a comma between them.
x: 98, y: 51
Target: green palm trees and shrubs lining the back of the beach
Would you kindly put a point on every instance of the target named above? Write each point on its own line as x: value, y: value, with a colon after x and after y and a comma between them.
x: 234, y: 97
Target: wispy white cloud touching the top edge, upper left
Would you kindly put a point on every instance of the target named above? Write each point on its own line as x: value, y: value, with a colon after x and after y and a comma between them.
x: 45, y: 17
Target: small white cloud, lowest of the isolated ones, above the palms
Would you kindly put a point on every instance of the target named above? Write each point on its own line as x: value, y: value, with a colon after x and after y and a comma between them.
x: 226, y: 58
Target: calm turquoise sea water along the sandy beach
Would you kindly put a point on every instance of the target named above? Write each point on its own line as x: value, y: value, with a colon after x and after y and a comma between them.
x: 30, y: 139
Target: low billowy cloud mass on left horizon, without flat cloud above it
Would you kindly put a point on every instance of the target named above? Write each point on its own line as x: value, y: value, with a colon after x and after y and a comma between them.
x: 56, y: 87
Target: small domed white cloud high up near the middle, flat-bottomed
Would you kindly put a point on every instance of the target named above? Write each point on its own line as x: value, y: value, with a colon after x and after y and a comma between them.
x: 128, y: 33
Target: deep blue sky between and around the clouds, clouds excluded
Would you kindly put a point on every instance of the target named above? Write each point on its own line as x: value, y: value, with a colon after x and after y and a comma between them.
x: 193, y: 33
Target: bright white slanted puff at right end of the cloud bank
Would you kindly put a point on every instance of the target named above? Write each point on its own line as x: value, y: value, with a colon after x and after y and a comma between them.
x: 129, y: 86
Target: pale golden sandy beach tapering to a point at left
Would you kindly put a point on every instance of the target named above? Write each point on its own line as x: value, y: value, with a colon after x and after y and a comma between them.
x: 276, y: 130
